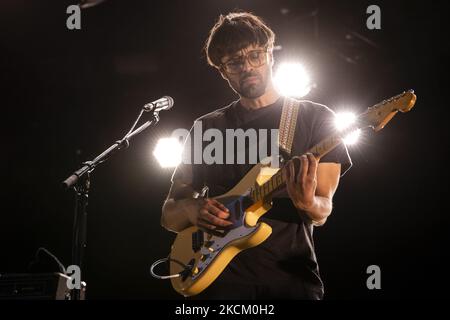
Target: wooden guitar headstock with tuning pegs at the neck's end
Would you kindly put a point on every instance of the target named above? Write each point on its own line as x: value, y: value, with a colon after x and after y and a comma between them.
x: 381, y: 113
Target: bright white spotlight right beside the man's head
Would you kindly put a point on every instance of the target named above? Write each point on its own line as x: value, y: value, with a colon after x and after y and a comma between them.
x: 292, y: 80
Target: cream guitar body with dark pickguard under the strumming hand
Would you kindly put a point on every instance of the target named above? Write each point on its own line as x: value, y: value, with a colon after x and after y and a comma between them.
x: 208, y: 255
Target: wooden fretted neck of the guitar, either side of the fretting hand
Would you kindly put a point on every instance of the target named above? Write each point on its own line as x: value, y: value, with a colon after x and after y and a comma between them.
x: 277, y: 181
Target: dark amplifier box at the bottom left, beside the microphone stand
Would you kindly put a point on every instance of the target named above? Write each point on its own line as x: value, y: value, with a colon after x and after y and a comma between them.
x: 34, y: 286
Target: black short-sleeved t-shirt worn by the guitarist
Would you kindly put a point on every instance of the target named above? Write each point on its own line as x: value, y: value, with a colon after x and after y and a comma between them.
x: 285, y: 263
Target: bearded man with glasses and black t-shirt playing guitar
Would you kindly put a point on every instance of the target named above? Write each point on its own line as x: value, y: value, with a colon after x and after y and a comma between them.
x: 240, y: 47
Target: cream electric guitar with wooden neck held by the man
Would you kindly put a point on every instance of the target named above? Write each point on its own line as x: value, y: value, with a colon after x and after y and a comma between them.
x: 199, y: 257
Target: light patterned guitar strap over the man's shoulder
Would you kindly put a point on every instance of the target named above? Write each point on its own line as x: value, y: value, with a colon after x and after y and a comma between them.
x: 288, y: 122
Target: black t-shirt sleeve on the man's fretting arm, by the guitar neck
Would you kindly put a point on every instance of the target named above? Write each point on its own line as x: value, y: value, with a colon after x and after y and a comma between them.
x: 324, y: 127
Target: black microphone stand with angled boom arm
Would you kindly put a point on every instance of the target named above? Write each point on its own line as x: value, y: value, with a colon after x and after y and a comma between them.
x: 79, y: 181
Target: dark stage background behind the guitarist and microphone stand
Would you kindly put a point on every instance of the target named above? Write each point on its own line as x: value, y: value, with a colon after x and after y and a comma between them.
x: 67, y: 95
